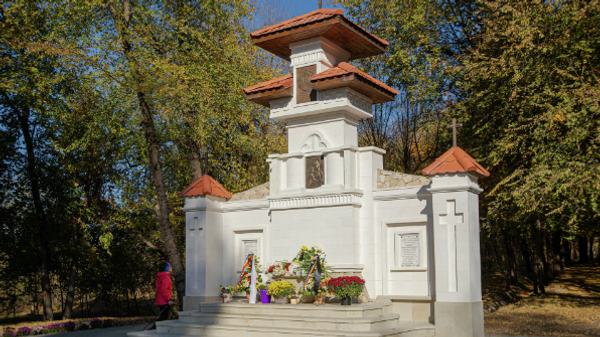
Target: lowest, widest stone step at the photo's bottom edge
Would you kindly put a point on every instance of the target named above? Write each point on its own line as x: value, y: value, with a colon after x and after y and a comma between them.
x: 404, y: 330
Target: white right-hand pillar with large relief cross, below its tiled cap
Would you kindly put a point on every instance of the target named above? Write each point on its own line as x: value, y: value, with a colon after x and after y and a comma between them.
x: 457, y: 264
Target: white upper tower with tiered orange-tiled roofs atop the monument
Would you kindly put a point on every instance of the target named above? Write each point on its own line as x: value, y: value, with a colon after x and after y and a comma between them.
x: 320, y: 101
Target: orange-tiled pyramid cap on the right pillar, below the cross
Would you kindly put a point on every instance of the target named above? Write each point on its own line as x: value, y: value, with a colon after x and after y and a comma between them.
x: 455, y: 160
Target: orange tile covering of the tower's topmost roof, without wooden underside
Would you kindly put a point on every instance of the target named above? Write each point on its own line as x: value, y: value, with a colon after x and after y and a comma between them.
x: 314, y: 16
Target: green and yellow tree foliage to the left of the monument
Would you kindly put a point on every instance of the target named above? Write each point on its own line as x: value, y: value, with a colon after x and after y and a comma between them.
x: 64, y: 62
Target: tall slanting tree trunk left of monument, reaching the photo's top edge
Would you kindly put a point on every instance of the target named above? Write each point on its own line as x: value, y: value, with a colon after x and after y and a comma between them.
x: 122, y: 21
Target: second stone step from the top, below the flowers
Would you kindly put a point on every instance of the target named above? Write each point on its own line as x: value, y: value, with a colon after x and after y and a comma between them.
x: 382, y: 322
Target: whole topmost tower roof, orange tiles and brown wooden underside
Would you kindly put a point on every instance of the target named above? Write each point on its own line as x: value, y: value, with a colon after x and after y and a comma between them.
x: 328, y: 23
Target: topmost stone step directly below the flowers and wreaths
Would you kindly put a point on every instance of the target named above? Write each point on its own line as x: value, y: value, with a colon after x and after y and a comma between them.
x: 328, y: 310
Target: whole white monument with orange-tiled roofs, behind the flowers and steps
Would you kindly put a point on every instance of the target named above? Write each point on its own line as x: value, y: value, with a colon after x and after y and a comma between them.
x: 414, y: 239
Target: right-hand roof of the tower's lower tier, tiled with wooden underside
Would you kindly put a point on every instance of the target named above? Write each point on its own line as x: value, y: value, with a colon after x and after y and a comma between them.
x: 346, y: 75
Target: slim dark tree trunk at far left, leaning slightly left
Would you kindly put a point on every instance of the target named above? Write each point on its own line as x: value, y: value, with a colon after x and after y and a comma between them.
x: 42, y: 228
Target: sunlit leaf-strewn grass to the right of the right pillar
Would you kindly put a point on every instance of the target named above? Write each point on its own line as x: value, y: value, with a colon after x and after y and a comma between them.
x: 571, y: 308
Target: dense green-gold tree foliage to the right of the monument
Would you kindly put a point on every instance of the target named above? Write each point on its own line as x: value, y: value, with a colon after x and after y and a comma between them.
x: 532, y: 111
